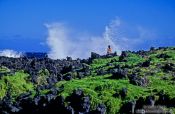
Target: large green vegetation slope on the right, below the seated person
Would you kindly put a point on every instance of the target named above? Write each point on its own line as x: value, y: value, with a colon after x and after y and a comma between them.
x: 102, y: 89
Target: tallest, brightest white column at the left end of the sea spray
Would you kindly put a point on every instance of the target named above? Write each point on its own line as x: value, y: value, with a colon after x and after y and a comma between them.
x: 56, y: 40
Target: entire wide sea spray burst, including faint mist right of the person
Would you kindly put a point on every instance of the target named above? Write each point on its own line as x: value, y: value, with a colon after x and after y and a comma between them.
x: 118, y: 34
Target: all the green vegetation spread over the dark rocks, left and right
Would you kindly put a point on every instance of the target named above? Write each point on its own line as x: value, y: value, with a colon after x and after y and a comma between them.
x: 102, y: 89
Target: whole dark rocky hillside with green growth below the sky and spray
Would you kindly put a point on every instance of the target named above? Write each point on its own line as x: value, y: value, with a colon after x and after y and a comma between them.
x: 134, y: 82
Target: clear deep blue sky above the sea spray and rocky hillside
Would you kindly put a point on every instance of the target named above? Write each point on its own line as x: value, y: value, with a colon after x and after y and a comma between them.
x: 22, y: 21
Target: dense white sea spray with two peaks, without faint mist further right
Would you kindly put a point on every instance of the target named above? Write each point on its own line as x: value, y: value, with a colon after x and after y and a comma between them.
x: 62, y: 44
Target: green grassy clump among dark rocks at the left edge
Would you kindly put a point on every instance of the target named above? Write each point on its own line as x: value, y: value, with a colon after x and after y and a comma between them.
x: 16, y: 85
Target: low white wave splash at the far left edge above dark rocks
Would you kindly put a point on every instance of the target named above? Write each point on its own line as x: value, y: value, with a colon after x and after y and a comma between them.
x: 10, y: 53
